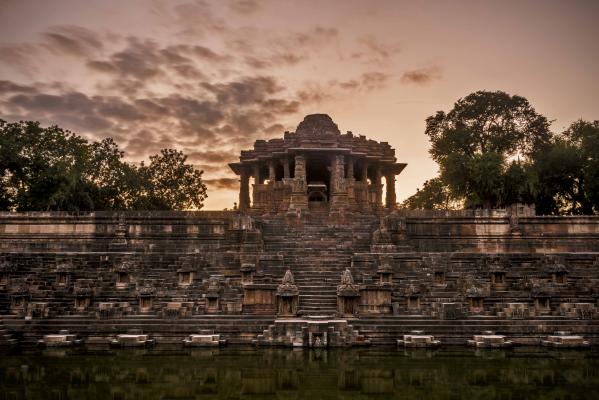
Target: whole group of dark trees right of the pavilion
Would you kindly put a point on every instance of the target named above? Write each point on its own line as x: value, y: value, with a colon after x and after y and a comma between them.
x: 494, y: 150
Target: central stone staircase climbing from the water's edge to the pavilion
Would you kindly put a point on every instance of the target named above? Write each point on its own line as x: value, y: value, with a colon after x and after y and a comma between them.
x: 317, y: 250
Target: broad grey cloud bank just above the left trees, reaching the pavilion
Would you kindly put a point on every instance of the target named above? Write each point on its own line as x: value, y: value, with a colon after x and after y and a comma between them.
x: 227, y: 115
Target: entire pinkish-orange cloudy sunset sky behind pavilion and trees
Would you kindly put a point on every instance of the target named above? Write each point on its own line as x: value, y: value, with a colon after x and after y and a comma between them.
x: 211, y: 77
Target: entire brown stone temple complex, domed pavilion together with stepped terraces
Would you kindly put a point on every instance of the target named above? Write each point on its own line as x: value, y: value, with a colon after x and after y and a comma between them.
x: 314, y: 257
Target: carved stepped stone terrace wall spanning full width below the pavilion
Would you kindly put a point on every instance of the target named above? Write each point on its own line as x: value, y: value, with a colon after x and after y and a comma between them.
x: 170, y: 272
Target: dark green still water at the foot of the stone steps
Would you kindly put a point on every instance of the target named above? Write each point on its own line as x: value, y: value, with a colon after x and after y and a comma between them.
x: 248, y: 373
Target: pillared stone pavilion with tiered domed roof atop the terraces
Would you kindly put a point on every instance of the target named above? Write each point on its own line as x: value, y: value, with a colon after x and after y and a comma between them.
x: 317, y: 167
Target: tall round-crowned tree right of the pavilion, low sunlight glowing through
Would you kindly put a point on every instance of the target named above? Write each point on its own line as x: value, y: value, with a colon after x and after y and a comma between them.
x: 486, y: 137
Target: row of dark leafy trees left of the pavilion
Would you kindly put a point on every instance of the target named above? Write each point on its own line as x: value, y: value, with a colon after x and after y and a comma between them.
x: 55, y: 169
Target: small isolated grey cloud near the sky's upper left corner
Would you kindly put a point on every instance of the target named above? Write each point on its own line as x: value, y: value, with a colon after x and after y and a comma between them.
x: 72, y: 40
